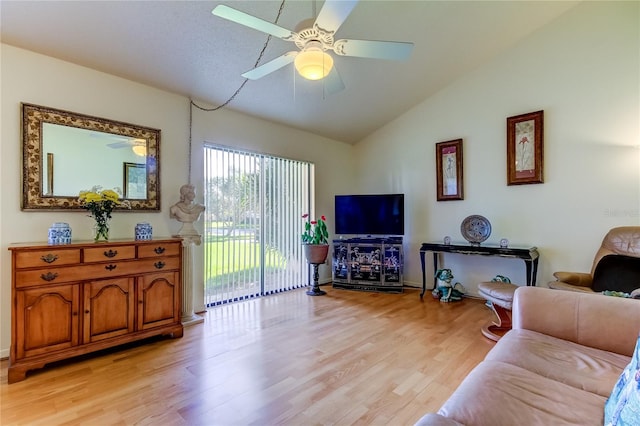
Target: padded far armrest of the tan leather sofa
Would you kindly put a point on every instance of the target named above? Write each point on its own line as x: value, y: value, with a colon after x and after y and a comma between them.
x: 602, y: 322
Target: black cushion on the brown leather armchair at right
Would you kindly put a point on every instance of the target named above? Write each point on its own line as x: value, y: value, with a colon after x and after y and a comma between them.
x: 616, y: 272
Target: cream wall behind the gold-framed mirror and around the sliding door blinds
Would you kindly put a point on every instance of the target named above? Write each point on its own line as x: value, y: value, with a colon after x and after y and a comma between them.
x: 33, y: 78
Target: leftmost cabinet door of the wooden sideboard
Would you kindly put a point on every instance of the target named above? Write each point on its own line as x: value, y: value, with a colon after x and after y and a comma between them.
x: 46, y: 319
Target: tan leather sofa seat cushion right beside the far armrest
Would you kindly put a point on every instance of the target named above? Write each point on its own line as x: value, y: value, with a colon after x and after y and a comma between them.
x: 589, y: 369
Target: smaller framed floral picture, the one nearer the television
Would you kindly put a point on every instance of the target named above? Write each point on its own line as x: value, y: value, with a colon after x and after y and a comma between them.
x: 449, y: 170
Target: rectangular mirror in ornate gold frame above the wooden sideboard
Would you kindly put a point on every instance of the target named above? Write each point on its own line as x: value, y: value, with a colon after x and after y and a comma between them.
x: 65, y: 152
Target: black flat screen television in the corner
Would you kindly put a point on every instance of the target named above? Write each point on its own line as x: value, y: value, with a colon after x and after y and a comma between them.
x: 372, y: 214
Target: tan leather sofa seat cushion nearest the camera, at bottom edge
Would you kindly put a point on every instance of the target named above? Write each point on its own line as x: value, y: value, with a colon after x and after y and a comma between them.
x: 497, y: 393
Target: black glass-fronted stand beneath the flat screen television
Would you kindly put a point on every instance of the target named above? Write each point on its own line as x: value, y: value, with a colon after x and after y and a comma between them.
x: 368, y: 264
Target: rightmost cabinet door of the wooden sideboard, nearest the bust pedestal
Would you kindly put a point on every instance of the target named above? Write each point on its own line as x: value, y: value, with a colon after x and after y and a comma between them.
x: 158, y: 299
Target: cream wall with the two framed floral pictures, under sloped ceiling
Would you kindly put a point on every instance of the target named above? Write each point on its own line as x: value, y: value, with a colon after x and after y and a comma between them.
x: 583, y: 70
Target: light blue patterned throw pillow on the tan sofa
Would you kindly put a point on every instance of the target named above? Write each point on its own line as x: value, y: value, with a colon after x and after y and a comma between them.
x: 623, y: 406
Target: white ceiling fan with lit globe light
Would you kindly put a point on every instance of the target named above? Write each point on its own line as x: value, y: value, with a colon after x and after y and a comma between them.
x: 314, y: 37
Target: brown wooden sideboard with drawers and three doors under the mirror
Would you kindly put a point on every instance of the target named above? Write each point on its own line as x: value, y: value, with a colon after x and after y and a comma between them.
x: 69, y: 300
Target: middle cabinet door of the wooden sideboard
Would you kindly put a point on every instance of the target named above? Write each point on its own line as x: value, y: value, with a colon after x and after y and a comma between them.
x: 109, y: 309
